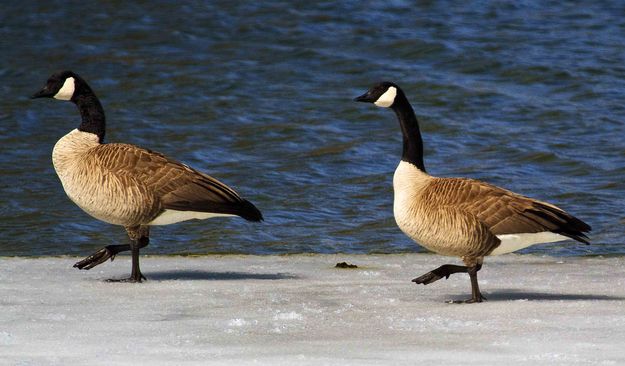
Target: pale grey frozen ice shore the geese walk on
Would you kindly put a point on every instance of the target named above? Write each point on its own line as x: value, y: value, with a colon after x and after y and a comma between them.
x: 299, y: 310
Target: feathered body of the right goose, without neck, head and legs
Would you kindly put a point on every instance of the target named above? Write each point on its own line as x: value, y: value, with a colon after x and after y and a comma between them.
x: 467, y: 217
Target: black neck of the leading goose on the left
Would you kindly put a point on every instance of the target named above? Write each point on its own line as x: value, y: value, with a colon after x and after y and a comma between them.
x: 91, y: 111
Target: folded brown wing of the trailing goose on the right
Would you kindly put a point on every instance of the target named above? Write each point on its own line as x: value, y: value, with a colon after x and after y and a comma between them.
x: 505, y: 212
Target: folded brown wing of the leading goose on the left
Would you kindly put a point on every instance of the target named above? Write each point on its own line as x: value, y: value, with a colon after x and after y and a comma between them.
x: 176, y: 185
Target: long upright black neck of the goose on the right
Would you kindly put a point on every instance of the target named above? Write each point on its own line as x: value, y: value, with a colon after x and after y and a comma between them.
x: 413, y: 144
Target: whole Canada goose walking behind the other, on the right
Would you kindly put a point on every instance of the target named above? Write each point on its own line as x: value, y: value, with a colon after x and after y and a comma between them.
x: 459, y: 216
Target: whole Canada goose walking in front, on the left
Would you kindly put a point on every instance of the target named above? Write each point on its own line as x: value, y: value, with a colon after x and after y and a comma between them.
x: 127, y: 185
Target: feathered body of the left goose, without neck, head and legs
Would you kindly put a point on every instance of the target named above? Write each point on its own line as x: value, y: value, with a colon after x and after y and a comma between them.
x: 126, y: 185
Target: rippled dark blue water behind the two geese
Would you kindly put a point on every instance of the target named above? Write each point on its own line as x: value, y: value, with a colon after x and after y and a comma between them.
x: 528, y: 95
